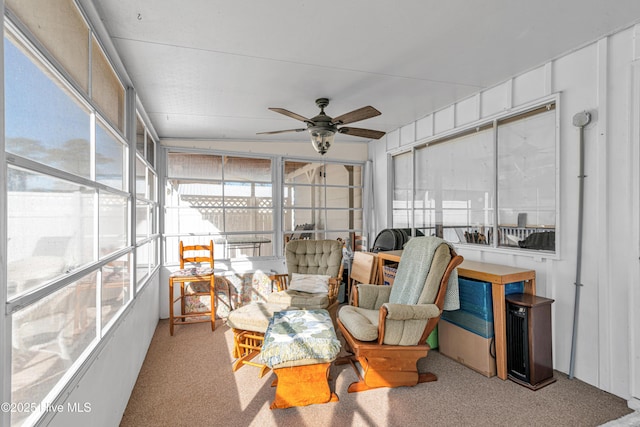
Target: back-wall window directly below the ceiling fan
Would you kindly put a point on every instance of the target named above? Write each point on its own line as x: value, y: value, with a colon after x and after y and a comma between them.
x: 322, y: 200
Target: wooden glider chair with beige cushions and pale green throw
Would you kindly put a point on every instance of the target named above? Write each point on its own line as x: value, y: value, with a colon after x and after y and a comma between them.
x: 388, y: 327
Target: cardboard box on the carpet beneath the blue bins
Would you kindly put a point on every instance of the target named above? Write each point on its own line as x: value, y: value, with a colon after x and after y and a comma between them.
x: 467, y: 348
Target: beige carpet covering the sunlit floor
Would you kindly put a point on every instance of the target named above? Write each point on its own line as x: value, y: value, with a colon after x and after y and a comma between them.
x: 186, y: 380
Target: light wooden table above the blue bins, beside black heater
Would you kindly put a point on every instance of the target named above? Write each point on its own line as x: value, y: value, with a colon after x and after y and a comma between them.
x: 498, y: 276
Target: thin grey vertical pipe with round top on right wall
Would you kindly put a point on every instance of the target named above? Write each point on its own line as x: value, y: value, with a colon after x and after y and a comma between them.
x: 580, y: 120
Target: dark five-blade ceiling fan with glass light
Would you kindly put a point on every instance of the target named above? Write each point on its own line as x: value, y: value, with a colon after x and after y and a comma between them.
x: 323, y: 128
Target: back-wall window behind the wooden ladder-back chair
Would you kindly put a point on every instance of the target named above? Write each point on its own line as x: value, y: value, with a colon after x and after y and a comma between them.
x: 227, y: 199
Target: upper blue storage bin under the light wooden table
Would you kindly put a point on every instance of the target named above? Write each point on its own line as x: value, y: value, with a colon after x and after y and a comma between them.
x: 475, y: 296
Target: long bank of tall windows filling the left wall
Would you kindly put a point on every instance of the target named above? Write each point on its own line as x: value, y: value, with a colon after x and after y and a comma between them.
x: 70, y: 255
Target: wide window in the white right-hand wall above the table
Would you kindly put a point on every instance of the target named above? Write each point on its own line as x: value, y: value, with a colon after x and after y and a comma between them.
x: 494, y: 184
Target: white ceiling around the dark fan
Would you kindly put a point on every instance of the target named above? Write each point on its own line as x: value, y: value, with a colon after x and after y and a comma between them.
x: 210, y: 69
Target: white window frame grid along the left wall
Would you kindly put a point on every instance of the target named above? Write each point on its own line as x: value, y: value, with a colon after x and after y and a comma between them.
x: 19, y: 33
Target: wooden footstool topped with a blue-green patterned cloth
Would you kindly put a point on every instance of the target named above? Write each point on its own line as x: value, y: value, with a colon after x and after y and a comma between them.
x: 299, y: 346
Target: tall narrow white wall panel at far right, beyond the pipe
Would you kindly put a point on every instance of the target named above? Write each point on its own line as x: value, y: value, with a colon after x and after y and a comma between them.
x: 621, y: 243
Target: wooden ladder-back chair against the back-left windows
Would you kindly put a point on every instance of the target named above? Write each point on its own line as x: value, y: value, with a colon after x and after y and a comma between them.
x: 200, y: 282
